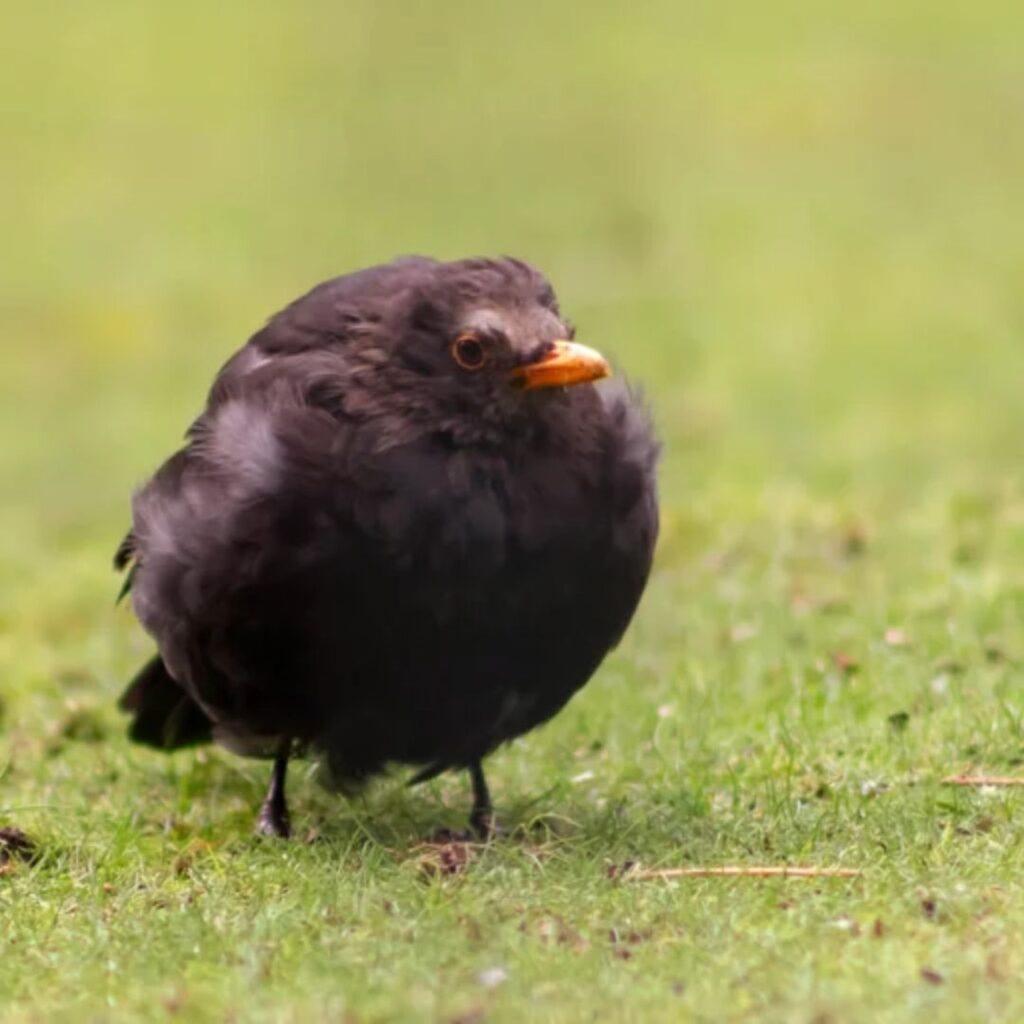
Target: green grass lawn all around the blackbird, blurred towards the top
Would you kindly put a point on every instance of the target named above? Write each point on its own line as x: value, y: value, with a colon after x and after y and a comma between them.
x: 802, y: 231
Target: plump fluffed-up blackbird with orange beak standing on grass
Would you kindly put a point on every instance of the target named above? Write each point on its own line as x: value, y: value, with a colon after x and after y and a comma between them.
x: 407, y: 528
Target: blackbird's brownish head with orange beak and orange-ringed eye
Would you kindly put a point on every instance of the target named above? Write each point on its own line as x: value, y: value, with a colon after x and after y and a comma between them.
x: 465, y: 343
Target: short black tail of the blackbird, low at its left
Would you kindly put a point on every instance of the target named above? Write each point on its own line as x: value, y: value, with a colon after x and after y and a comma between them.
x: 163, y: 715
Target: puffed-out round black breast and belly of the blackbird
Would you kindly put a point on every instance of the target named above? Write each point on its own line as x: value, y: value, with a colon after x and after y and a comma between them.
x: 420, y: 602
